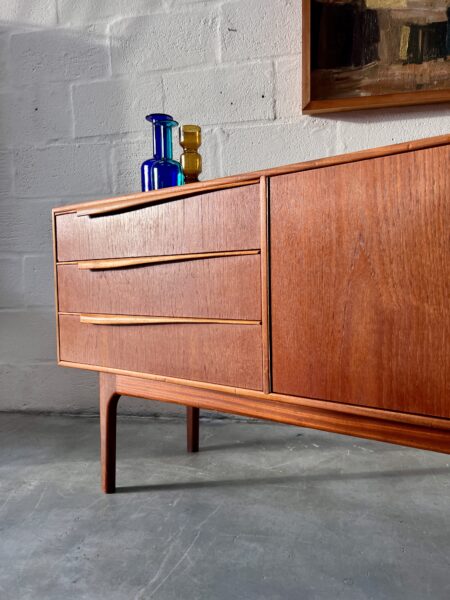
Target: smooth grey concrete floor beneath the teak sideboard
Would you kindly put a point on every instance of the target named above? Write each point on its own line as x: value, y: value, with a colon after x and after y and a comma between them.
x: 264, y: 512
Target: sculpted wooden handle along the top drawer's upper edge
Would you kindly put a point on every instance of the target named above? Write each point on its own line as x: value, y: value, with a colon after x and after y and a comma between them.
x: 137, y: 201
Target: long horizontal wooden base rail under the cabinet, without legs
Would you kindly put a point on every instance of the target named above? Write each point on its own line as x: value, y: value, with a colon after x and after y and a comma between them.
x: 370, y: 427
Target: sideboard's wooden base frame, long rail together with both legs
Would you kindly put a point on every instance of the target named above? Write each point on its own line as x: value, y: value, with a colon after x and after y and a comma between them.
x: 425, y: 434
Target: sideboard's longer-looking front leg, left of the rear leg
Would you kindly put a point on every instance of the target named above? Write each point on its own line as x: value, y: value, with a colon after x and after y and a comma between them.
x: 108, y: 421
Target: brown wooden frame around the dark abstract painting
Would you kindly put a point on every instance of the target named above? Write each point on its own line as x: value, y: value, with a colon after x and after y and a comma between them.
x: 311, y: 105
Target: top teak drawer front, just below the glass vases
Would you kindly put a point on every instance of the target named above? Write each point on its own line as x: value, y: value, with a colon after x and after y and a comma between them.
x: 215, y: 221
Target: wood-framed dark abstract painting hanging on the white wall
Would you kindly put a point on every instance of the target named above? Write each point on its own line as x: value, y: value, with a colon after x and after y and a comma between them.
x: 374, y: 53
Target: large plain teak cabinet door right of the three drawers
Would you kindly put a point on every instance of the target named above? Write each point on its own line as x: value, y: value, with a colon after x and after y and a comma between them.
x: 360, y: 282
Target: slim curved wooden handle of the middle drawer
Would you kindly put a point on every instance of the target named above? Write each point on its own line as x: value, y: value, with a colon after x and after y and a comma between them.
x: 119, y: 263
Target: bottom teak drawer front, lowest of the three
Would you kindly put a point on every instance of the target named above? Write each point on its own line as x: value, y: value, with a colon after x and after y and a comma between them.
x: 226, y: 354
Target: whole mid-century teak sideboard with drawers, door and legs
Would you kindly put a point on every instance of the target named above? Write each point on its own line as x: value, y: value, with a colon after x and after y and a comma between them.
x: 315, y: 294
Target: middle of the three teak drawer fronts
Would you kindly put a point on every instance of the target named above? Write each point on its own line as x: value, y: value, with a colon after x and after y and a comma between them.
x: 227, y: 288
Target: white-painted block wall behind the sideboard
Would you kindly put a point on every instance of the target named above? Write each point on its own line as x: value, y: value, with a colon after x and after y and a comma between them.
x: 76, y: 80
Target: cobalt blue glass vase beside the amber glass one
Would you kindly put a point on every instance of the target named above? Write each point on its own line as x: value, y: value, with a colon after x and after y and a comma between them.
x: 161, y: 170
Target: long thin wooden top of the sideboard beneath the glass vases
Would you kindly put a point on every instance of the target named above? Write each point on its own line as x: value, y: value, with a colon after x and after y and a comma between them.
x: 134, y: 200
